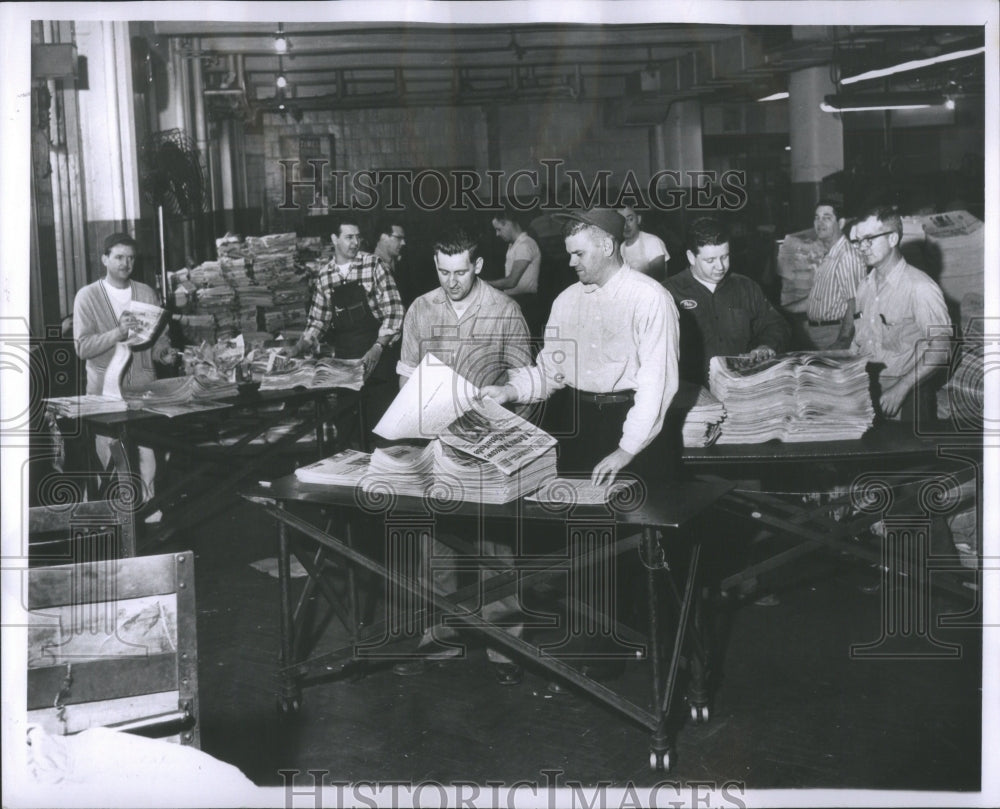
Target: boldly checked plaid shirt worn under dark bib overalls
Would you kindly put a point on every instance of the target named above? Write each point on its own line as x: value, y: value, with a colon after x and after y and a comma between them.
x: 380, y: 291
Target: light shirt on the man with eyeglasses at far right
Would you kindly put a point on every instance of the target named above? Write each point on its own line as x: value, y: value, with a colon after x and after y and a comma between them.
x: 896, y: 318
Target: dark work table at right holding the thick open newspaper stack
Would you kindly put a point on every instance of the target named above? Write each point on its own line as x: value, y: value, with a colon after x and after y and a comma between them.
x: 891, y: 476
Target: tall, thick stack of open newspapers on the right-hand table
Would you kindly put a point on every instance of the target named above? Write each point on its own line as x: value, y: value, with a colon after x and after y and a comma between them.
x: 799, y: 396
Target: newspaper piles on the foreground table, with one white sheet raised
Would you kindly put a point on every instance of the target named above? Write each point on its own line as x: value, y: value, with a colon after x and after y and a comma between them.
x: 450, y: 444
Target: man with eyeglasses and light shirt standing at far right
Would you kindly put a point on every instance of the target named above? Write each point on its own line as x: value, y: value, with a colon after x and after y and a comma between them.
x: 900, y: 318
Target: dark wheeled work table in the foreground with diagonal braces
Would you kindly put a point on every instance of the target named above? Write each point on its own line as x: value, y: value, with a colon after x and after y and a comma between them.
x: 315, y: 521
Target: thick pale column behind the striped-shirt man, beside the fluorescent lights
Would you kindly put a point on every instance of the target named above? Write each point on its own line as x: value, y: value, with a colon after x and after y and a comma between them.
x: 816, y: 138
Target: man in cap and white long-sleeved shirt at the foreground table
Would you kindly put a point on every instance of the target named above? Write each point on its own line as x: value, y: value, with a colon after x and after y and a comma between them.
x: 610, y: 348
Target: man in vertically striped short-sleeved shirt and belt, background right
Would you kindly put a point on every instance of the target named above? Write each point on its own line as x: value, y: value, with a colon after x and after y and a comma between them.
x: 830, y: 306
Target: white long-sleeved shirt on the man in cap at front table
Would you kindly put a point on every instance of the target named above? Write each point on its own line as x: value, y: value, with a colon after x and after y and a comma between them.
x: 602, y: 339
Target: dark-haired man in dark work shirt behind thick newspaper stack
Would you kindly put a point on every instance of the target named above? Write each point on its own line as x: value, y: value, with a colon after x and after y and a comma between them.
x: 721, y: 313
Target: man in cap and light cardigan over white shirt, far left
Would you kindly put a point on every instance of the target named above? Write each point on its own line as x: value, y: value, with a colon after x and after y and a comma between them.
x: 101, y: 320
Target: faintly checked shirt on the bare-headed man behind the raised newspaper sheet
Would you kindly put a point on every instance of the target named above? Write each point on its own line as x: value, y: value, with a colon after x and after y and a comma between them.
x: 482, y: 345
